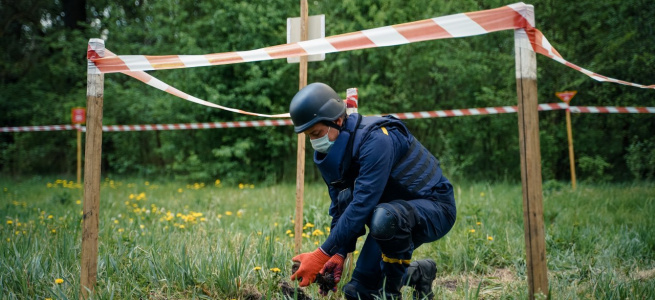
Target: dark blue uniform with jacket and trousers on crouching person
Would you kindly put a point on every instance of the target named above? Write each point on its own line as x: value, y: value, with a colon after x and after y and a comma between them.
x: 376, y: 162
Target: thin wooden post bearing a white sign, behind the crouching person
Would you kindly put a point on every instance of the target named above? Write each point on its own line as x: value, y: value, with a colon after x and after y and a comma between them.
x: 300, y: 161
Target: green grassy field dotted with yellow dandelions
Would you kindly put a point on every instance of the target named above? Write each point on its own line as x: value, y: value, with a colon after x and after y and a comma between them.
x: 171, y: 240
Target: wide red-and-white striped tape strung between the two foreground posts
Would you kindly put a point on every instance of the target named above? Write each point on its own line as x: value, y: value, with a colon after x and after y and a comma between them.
x: 512, y: 16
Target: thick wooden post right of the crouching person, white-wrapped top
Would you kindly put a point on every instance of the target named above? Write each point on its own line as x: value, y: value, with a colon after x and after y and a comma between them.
x: 533, y: 219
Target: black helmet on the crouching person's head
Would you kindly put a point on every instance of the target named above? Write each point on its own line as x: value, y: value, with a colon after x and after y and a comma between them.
x: 314, y: 103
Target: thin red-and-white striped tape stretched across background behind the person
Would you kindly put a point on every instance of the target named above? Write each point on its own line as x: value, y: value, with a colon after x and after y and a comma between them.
x: 286, y: 122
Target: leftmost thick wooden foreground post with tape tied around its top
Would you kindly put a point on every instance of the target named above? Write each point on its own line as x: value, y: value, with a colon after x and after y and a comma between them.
x: 93, y: 150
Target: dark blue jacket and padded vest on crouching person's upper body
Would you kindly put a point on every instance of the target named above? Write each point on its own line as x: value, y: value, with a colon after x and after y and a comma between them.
x: 373, y: 160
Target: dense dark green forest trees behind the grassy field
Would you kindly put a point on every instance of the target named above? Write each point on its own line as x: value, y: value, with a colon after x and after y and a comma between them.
x: 43, y: 69
